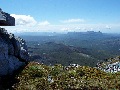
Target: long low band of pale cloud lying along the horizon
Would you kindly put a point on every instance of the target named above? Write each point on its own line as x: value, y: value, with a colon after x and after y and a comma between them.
x: 66, y: 28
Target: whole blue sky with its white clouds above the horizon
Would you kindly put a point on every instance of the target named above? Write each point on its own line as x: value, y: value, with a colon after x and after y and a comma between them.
x: 63, y: 15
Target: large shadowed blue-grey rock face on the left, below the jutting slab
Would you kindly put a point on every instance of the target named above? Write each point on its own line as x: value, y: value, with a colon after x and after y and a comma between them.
x: 13, y: 53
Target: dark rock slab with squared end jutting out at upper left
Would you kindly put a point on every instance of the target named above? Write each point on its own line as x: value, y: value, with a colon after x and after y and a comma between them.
x: 6, y: 19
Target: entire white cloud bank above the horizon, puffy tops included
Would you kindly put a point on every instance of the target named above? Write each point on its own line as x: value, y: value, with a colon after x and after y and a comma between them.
x: 26, y: 23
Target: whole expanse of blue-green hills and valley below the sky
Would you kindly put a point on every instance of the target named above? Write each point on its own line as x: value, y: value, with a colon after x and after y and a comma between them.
x: 97, y: 45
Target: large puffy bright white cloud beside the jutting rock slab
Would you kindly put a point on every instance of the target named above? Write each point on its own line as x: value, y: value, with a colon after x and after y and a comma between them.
x: 24, y: 20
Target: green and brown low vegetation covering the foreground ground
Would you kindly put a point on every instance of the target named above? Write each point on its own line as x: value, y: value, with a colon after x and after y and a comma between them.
x: 37, y: 76
